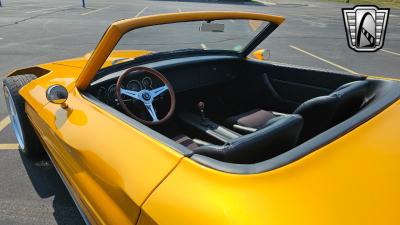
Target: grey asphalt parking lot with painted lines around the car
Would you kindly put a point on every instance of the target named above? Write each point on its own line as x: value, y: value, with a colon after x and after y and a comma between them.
x: 34, y: 32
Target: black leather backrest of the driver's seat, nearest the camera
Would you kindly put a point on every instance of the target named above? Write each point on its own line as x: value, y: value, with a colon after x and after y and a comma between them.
x: 279, y: 135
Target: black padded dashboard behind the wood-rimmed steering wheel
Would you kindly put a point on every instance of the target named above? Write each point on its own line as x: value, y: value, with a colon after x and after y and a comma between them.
x: 184, y: 74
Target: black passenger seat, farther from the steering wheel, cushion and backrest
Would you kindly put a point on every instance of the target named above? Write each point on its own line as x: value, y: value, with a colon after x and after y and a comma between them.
x: 319, y: 113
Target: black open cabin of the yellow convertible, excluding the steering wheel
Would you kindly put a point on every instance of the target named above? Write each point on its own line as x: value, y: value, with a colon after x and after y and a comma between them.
x: 237, y: 110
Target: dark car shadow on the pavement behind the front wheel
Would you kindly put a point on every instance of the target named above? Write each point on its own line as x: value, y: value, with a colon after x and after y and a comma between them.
x: 47, y: 183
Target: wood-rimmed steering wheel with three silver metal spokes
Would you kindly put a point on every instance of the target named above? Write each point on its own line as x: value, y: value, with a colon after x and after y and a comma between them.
x: 146, y: 96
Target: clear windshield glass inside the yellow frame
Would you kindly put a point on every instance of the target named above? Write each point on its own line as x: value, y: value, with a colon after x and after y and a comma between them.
x: 232, y: 35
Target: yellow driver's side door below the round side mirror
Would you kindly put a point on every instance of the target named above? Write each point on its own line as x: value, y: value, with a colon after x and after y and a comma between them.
x: 108, y: 162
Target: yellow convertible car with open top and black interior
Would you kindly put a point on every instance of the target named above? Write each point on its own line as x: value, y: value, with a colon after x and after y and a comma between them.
x: 170, y: 120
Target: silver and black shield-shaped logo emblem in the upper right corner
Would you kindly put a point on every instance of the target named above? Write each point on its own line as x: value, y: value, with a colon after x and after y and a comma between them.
x: 365, y: 27
